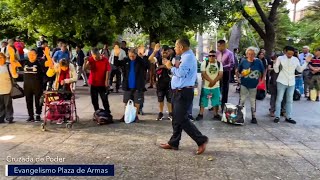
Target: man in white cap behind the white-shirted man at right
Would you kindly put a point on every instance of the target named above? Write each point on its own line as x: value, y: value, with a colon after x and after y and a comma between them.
x: 306, y: 73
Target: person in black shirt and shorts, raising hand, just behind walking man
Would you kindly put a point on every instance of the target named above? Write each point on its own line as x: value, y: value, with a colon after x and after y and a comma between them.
x: 164, y: 79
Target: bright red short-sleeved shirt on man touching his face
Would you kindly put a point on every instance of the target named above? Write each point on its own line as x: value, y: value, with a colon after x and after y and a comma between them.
x: 98, y: 70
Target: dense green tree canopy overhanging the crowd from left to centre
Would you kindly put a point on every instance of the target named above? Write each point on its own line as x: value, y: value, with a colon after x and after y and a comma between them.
x: 91, y: 21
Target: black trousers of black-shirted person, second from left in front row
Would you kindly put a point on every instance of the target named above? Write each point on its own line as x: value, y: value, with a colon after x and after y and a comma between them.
x: 33, y: 92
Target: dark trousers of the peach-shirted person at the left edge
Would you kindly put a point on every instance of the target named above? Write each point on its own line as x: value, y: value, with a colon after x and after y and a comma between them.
x: 6, y: 108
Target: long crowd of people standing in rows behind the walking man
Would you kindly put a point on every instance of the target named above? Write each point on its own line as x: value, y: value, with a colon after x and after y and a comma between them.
x: 132, y: 68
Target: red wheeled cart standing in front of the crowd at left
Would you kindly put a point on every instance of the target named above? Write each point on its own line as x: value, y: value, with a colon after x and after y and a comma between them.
x: 59, y: 106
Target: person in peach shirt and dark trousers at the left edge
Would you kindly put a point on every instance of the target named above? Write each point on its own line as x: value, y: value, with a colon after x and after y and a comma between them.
x: 6, y: 108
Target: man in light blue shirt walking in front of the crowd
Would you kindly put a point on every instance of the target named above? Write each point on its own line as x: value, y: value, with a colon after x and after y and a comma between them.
x: 182, y: 85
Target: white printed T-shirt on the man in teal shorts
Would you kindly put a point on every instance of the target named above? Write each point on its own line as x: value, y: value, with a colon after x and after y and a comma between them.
x: 212, y: 71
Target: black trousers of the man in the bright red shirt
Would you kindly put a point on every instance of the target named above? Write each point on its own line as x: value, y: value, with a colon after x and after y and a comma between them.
x: 95, y: 91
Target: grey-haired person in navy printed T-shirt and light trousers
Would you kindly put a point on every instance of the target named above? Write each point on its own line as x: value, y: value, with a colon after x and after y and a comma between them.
x: 251, y: 70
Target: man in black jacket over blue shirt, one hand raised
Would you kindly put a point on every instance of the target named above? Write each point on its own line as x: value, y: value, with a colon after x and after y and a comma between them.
x: 133, y: 83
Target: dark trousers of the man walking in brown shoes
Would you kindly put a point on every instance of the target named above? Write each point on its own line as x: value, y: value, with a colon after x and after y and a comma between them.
x: 181, y: 101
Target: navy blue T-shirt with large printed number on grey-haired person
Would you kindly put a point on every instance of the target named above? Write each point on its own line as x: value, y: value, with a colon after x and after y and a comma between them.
x: 255, y: 70
